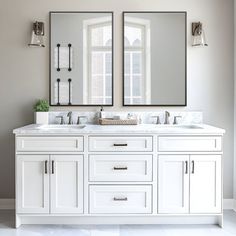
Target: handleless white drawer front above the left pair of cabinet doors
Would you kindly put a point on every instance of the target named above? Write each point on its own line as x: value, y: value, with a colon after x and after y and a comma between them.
x: 49, y: 144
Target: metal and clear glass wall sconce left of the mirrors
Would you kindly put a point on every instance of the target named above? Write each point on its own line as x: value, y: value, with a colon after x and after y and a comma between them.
x: 37, y: 35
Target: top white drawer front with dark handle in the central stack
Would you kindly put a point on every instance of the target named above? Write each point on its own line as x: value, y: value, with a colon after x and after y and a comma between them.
x: 120, y: 144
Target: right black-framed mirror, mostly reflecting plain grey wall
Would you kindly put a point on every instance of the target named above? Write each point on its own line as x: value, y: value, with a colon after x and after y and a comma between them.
x: 154, y: 57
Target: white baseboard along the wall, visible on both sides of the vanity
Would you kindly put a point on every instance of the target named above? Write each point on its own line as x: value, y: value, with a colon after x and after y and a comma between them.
x: 9, y: 204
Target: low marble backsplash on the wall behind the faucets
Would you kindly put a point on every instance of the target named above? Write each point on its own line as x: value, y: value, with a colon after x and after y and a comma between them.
x: 190, y: 117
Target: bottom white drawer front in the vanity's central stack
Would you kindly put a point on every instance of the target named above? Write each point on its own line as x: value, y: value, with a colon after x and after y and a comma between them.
x: 120, y: 199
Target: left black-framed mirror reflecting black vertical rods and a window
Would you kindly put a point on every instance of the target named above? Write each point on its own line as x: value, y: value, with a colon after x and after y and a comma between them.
x: 81, y: 58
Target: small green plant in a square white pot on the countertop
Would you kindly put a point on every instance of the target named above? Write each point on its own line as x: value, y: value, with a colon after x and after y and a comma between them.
x: 41, y: 109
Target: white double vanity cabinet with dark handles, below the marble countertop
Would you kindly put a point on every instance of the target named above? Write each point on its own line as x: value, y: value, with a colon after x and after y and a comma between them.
x: 118, y: 178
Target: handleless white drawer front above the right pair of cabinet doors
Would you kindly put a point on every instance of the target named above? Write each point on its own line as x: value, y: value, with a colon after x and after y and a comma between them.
x: 208, y: 143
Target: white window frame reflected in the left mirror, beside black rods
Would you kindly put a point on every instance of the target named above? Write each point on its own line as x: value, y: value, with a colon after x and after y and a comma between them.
x: 87, y: 48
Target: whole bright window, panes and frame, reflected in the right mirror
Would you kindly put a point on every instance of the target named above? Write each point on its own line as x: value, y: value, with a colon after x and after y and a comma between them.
x: 137, y: 60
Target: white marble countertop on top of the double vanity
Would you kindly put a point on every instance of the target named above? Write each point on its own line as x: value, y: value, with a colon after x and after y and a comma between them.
x: 197, y: 129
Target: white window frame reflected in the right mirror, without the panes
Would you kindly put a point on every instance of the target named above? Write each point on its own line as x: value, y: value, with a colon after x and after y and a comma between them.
x: 146, y: 58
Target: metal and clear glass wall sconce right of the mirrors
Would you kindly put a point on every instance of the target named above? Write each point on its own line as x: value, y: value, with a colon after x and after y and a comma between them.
x: 198, y: 34
